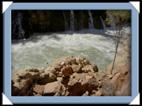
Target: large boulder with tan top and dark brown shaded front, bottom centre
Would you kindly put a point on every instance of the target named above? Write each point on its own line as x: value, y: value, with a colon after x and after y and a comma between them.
x: 79, y: 83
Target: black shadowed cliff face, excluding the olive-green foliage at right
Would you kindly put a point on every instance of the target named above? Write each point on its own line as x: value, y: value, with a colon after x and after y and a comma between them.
x: 42, y: 21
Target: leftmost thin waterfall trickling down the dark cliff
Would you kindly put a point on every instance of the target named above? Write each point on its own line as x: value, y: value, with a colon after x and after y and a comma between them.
x: 20, y: 28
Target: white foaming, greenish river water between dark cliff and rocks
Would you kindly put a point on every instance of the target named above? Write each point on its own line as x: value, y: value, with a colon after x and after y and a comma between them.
x: 45, y: 49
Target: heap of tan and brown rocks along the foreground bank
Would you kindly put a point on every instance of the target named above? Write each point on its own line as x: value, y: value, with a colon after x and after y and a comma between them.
x: 70, y: 76
